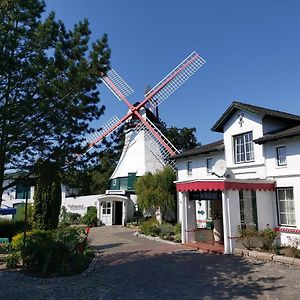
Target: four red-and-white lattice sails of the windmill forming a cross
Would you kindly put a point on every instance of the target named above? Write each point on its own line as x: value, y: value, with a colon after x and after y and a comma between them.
x: 154, y: 97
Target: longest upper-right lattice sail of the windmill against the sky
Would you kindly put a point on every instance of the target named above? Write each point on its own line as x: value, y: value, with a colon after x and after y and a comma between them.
x: 177, y: 77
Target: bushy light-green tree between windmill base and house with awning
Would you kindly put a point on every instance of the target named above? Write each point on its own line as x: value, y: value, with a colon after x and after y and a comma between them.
x: 157, y: 193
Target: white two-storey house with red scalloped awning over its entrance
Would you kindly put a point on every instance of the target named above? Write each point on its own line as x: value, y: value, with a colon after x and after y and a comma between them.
x: 260, y: 185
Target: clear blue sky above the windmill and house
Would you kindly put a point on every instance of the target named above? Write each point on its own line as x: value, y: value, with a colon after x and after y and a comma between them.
x: 252, y: 49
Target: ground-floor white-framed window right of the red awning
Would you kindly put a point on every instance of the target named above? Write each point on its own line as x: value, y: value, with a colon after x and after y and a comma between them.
x: 286, y: 206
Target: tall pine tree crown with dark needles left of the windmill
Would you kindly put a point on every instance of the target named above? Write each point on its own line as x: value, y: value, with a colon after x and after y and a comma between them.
x: 48, y: 86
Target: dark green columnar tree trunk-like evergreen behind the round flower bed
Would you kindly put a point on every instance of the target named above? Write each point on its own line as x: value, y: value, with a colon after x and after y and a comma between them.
x: 47, y: 195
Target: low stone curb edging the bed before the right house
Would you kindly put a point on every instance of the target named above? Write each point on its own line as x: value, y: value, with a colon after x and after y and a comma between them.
x: 268, y: 257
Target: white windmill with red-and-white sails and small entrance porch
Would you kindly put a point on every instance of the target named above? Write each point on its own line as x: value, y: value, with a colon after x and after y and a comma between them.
x: 146, y: 149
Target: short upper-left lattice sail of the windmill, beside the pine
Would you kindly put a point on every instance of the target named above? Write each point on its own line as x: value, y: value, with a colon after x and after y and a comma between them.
x: 117, y: 85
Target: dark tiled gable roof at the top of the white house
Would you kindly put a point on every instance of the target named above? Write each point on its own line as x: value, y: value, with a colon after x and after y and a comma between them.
x: 261, y: 111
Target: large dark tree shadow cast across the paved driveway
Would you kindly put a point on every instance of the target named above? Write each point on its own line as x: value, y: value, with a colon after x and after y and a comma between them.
x: 185, y: 275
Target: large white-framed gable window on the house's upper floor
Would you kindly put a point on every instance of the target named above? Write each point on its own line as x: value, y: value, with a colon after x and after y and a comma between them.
x: 243, y: 148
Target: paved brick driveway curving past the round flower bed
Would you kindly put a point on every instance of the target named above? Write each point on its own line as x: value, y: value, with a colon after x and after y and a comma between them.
x: 136, y: 268
